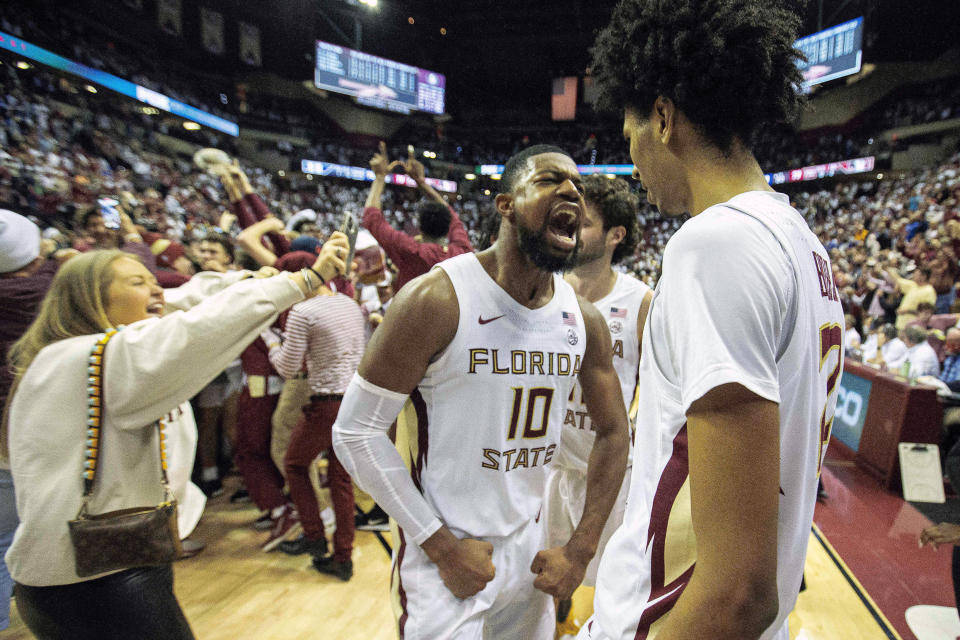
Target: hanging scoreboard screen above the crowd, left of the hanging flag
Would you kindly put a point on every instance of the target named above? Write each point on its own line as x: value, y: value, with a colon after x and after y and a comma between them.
x: 378, y: 82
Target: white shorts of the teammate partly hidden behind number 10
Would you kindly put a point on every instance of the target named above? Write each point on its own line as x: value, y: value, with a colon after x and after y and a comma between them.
x: 566, y: 493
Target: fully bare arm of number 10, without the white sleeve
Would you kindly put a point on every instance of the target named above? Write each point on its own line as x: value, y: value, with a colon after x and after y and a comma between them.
x: 561, y: 570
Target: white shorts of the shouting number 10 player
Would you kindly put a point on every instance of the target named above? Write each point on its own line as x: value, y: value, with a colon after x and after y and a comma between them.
x: 507, y: 608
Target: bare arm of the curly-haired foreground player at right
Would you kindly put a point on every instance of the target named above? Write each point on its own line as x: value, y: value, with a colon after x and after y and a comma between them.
x: 734, y: 447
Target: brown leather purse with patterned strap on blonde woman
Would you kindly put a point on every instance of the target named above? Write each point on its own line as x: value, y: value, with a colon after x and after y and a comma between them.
x: 127, y: 538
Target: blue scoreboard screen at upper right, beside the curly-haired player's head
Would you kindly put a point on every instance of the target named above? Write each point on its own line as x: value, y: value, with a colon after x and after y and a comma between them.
x: 832, y: 53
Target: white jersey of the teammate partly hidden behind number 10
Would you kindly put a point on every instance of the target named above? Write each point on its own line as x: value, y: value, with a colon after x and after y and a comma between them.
x: 620, y: 310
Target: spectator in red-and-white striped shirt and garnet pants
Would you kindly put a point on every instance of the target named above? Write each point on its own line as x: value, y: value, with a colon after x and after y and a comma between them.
x: 328, y: 333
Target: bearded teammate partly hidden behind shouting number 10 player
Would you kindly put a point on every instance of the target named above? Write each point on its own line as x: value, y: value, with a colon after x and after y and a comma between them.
x: 609, y: 233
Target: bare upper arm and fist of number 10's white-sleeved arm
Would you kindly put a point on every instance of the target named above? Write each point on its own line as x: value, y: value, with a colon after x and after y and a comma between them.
x: 422, y: 321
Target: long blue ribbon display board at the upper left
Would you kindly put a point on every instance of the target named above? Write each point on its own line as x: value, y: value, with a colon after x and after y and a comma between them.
x: 112, y: 82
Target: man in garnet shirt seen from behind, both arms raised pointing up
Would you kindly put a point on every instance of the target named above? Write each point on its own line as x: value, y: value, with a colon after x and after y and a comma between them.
x: 442, y: 235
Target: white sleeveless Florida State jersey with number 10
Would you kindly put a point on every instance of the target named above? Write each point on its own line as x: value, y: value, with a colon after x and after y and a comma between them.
x: 490, y: 407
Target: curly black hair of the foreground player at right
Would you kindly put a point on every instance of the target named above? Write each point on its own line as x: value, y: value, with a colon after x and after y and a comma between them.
x: 729, y: 65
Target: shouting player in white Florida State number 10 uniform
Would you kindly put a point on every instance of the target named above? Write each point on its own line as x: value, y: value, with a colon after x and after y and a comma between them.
x: 488, y: 347
